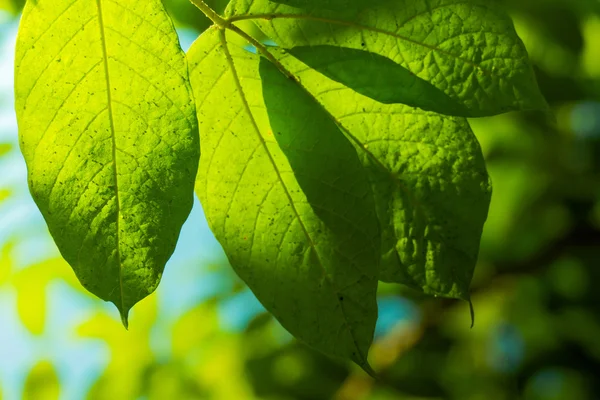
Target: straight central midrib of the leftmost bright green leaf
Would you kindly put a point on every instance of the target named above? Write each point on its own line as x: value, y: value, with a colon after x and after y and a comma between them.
x: 114, y: 153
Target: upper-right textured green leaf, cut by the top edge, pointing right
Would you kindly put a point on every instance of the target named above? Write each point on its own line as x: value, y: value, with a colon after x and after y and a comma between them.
x: 467, y: 49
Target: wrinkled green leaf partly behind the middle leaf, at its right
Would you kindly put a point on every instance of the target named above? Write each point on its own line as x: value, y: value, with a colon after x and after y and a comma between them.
x: 429, y: 180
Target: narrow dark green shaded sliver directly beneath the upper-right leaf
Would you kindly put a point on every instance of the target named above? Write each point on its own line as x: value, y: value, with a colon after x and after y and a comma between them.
x: 377, y: 77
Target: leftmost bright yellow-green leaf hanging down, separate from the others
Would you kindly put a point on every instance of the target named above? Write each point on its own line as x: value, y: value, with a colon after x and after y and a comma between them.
x: 109, y: 133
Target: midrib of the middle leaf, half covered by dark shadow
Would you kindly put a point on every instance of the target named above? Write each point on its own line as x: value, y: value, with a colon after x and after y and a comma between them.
x: 256, y: 129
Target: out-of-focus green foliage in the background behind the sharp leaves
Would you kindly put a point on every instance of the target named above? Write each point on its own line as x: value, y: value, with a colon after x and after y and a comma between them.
x: 537, y: 329
